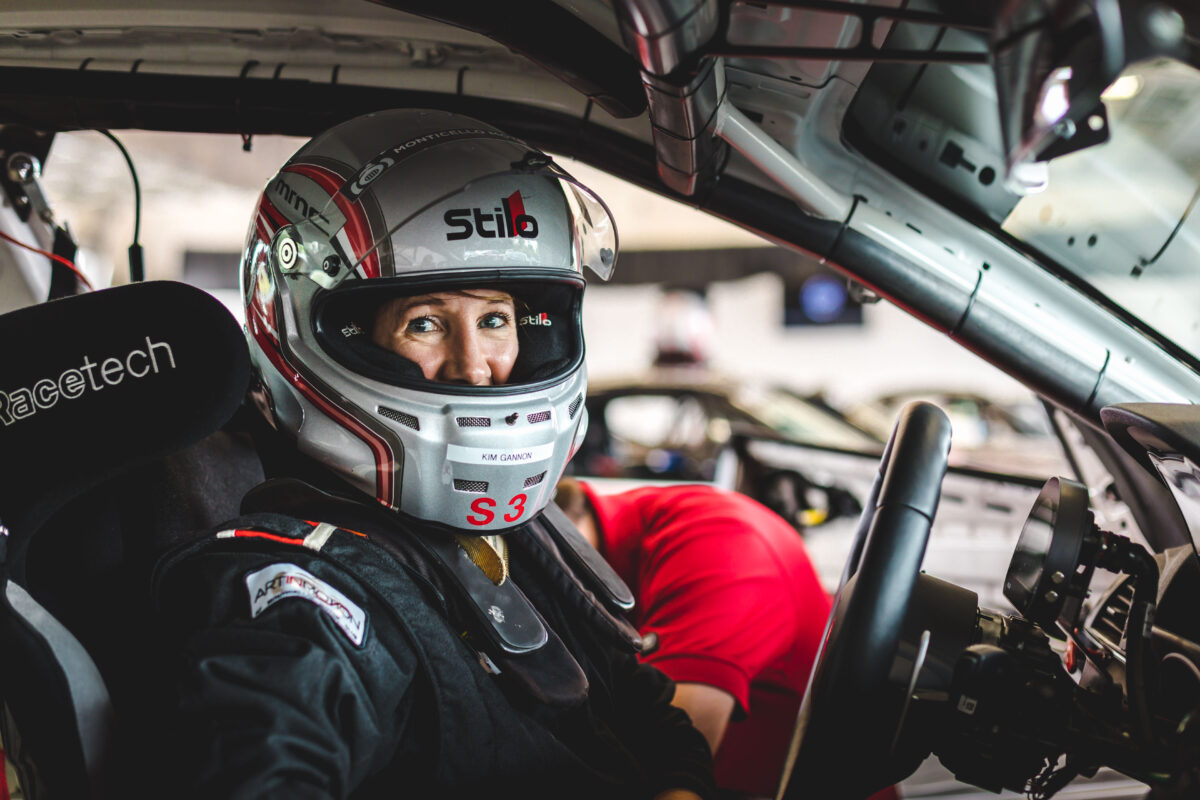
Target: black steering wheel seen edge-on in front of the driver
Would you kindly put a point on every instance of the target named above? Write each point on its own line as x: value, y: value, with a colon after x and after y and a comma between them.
x: 849, y: 715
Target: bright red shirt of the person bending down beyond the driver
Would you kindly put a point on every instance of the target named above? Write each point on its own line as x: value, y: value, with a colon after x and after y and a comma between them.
x: 729, y: 590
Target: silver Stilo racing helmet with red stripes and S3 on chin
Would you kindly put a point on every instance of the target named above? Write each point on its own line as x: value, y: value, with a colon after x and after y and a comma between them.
x: 415, y: 202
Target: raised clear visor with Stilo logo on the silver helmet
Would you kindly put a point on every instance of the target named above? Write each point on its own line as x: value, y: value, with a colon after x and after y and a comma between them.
x: 533, y: 215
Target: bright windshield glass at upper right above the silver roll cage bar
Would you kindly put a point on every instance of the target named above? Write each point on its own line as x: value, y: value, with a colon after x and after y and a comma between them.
x: 1121, y: 215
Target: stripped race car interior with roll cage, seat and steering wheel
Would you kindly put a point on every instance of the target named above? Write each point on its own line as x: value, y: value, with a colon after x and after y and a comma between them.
x: 963, y: 160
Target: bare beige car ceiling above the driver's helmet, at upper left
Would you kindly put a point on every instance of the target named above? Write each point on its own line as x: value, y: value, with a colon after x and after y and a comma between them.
x: 257, y: 68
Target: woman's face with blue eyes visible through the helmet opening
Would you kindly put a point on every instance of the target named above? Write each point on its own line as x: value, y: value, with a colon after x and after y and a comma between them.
x: 455, y: 338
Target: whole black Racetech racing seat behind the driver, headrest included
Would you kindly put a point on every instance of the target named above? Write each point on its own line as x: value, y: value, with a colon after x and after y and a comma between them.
x: 111, y: 443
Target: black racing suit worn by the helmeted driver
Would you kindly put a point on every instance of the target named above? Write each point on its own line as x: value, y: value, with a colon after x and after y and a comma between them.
x: 386, y: 688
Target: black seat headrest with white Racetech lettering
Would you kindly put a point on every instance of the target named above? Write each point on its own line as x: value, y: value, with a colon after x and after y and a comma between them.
x: 95, y: 383
